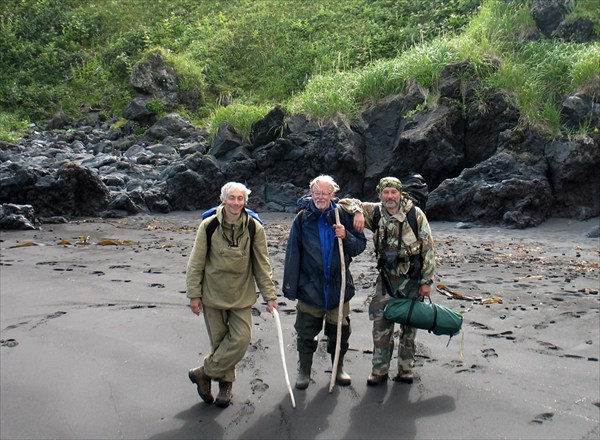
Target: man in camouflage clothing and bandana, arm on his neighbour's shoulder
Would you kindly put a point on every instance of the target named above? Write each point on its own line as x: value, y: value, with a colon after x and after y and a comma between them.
x: 407, y: 262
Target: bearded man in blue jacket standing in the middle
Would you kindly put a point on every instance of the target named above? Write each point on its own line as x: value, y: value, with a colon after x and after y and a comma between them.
x: 312, y: 275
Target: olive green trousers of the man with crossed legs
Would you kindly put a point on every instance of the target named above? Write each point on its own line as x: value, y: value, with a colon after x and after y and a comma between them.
x: 229, y: 332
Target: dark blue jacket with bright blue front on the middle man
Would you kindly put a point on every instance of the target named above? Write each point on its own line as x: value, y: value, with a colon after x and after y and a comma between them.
x: 312, y: 271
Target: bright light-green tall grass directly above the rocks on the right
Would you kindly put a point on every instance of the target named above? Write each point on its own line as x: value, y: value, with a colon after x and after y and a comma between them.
x: 538, y: 74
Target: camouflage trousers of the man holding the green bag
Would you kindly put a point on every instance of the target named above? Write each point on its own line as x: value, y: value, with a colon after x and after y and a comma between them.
x: 383, y: 333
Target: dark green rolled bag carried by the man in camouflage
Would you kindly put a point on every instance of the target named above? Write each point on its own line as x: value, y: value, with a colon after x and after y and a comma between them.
x: 435, y: 318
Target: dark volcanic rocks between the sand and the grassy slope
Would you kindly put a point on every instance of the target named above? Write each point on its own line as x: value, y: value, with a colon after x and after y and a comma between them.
x: 480, y: 166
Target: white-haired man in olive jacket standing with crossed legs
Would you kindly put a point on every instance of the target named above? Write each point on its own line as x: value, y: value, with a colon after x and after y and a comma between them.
x: 221, y: 284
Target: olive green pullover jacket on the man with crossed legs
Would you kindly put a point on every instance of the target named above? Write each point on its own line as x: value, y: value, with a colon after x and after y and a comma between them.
x: 227, y: 277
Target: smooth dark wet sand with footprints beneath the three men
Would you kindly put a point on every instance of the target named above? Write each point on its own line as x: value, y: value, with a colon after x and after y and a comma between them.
x: 96, y: 341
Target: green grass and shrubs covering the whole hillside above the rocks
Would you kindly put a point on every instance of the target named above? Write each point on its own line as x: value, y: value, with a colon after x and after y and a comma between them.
x: 68, y: 54
